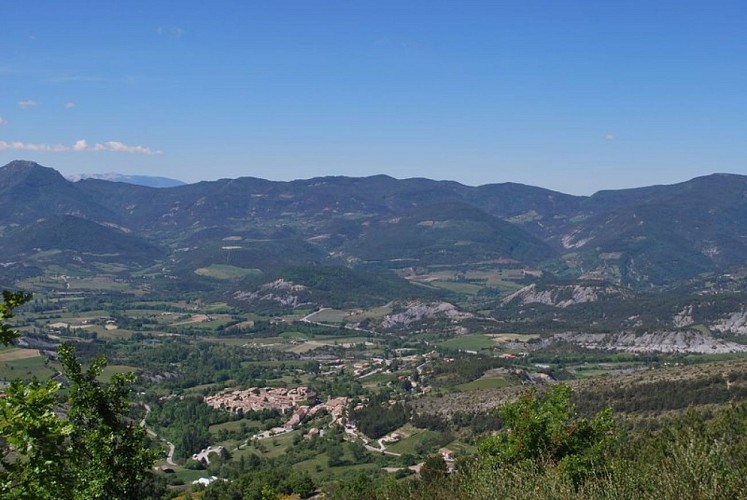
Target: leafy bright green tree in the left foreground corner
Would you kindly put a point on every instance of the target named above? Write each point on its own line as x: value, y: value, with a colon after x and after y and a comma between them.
x: 93, y: 451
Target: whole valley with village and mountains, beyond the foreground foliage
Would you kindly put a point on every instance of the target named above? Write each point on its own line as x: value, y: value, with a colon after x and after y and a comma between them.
x: 312, y: 331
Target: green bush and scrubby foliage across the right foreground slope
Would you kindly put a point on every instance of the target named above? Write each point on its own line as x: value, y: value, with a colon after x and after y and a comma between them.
x: 689, y: 457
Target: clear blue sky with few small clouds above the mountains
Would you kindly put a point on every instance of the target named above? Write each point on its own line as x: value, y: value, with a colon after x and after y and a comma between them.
x: 574, y: 96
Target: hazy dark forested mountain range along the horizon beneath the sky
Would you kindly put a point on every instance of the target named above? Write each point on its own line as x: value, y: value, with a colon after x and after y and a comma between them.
x: 646, y: 238
